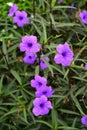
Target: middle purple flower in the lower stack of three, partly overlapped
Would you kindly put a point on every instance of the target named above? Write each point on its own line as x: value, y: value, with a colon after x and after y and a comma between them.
x: 46, y: 91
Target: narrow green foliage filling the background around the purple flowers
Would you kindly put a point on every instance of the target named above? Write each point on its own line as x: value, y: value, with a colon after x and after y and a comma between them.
x: 52, y: 24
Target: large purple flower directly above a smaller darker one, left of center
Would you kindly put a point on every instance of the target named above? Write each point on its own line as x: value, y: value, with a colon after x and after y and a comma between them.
x: 29, y: 44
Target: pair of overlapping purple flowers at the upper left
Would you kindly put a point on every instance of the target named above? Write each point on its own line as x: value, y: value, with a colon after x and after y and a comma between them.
x: 19, y: 17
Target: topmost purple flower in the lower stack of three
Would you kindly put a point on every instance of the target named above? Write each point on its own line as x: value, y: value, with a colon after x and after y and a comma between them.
x: 38, y: 82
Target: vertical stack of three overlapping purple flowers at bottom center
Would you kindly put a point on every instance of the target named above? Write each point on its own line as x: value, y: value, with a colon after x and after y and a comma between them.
x: 41, y: 103
